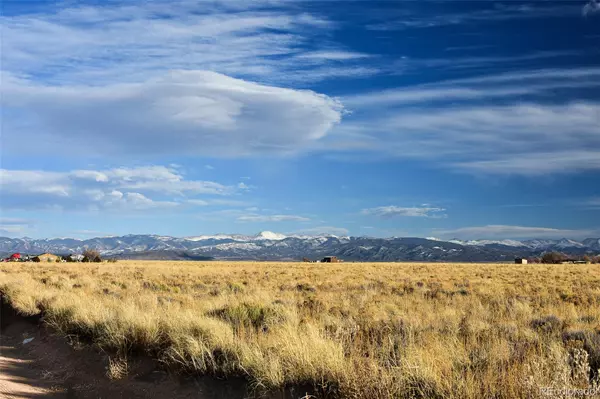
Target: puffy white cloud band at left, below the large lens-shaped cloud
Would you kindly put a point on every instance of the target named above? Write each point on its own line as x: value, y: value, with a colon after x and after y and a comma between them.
x: 117, y: 188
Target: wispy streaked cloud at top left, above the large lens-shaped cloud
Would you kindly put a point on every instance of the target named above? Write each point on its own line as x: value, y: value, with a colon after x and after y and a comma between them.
x: 98, y: 45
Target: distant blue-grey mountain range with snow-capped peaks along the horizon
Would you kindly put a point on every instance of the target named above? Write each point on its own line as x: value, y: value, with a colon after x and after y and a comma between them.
x: 279, y: 247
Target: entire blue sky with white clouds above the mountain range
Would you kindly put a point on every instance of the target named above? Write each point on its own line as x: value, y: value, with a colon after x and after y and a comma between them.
x: 447, y: 119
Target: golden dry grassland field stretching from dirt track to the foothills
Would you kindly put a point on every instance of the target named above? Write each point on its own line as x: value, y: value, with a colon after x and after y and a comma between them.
x: 356, y: 330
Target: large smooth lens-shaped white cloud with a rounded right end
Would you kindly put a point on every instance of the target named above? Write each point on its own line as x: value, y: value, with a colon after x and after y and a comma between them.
x: 191, y: 112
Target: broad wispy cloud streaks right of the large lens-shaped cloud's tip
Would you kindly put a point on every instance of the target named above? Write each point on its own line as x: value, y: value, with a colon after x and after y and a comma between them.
x: 497, y: 124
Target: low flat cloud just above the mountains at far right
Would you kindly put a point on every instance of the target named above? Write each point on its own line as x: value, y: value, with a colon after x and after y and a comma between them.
x: 506, y: 232
